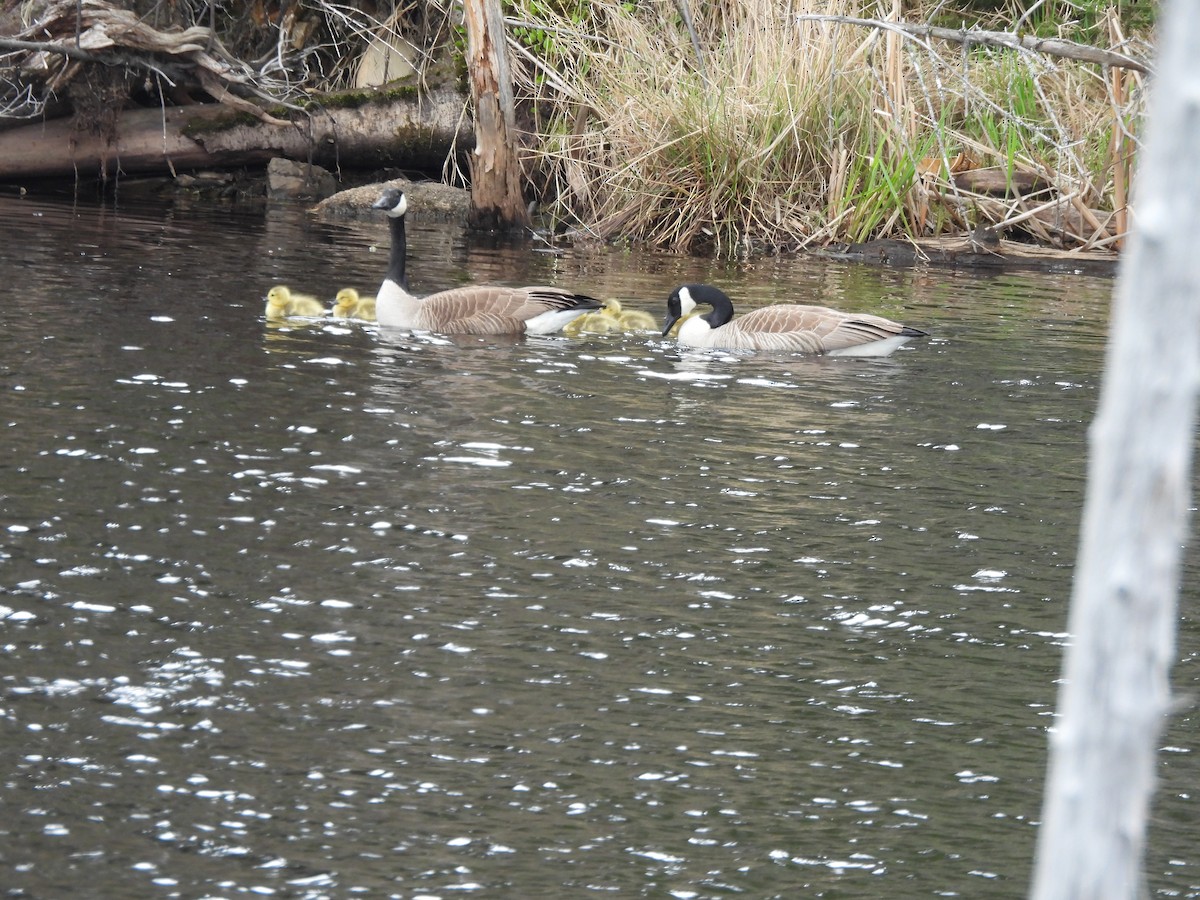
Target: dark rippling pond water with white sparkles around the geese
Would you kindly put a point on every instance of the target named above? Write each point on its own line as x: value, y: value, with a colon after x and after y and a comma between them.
x: 317, y: 611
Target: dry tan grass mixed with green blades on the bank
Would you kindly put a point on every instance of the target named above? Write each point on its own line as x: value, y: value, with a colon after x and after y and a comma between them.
x: 787, y: 130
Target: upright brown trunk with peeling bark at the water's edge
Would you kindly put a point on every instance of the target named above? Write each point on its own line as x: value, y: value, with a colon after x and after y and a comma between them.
x: 497, y: 201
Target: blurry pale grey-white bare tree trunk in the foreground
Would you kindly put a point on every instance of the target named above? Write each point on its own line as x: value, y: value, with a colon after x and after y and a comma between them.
x: 1115, y: 694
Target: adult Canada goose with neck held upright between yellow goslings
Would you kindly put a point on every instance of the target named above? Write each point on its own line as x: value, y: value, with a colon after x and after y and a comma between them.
x: 472, y: 310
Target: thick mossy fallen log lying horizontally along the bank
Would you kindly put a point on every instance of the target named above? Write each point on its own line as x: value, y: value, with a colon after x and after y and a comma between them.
x: 410, y: 131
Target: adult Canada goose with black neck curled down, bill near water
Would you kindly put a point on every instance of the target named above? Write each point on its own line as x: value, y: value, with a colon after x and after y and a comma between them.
x: 784, y: 327
